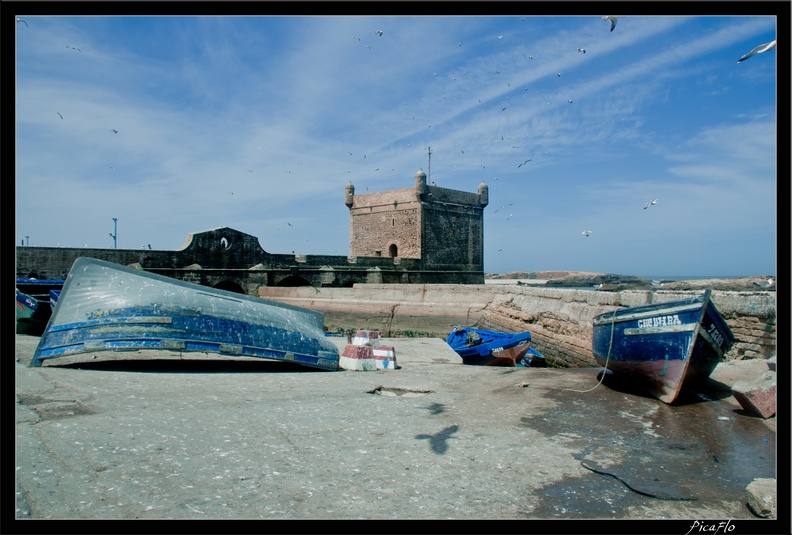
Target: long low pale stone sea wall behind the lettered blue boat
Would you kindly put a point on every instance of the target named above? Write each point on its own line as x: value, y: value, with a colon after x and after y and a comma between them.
x: 560, y: 320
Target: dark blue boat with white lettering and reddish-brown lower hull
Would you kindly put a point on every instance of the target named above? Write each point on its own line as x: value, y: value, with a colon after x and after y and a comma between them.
x: 664, y: 347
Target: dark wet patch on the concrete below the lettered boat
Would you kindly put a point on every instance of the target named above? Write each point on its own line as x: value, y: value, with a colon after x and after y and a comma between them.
x: 703, y: 448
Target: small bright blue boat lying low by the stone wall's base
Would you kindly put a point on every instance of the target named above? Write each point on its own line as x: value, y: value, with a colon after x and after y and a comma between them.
x: 481, y: 347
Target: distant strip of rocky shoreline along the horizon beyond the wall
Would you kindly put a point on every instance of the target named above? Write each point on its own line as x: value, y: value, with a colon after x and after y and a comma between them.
x: 616, y: 282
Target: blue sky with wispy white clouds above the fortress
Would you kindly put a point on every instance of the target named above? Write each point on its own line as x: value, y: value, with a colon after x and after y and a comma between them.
x: 178, y: 124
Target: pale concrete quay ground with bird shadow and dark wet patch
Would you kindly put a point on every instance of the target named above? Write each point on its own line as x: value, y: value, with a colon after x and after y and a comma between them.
x: 251, y: 439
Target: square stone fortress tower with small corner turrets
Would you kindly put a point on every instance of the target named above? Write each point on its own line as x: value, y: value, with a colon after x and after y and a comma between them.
x: 443, y: 228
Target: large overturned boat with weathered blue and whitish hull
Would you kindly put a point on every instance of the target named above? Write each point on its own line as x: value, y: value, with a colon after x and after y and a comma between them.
x: 108, y: 307
